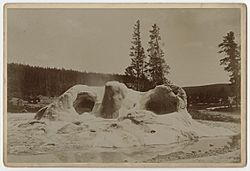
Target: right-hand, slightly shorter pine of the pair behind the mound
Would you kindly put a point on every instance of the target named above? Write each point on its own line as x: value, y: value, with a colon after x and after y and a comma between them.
x: 157, y: 66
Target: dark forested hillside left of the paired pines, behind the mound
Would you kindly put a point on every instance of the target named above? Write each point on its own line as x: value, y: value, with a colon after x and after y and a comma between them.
x: 26, y: 81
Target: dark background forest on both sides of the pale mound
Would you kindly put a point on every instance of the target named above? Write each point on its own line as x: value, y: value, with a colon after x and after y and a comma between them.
x: 26, y: 82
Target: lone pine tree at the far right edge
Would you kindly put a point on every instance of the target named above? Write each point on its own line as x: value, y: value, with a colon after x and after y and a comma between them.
x: 231, y: 61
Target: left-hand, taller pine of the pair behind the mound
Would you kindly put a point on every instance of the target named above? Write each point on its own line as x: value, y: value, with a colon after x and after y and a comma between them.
x: 137, y: 67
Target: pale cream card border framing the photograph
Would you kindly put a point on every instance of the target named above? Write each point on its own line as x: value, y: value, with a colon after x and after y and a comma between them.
x: 243, y: 39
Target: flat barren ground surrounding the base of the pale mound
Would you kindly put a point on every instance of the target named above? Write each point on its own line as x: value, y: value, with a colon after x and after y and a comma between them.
x: 224, y: 149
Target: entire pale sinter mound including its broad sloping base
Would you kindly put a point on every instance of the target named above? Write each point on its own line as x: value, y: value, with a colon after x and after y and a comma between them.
x: 115, y: 116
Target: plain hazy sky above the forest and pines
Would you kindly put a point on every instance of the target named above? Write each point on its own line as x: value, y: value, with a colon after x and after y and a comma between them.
x: 98, y: 40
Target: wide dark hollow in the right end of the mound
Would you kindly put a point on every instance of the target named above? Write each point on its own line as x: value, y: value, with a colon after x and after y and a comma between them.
x: 160, y: 107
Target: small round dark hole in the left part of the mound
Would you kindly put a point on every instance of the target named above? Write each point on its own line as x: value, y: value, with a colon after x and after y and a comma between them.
x: 84, y: 103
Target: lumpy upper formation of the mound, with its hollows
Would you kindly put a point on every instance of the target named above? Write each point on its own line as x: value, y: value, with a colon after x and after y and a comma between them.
x: 116, y: 101
